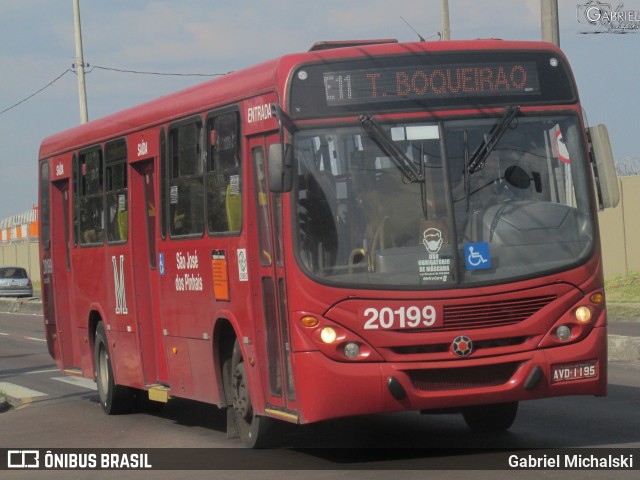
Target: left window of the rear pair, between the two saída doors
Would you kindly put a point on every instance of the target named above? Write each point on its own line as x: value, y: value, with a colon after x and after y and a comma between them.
x: 91, y: 201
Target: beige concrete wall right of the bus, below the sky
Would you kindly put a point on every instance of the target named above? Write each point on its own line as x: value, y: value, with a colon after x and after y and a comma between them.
x: 620, y: 230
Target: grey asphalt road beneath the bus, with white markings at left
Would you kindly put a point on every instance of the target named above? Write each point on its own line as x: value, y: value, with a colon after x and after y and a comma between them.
x: 59, y: 414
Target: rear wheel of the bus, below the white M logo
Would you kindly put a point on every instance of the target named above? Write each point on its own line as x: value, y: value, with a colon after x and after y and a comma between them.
x: 114, y: 399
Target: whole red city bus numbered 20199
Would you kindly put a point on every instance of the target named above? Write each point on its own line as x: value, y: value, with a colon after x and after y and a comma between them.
x: 364, y: 227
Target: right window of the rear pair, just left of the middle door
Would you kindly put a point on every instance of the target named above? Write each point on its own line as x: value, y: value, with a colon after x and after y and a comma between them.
x: 117, y: 205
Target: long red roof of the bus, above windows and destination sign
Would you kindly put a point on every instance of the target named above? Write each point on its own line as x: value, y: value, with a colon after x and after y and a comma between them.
x: 233, y: 87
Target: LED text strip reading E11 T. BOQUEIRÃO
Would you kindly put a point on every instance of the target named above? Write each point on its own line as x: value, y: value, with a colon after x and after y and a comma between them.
x: 428, y: 82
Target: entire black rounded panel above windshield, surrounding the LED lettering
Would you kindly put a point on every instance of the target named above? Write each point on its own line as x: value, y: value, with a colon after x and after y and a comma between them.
x: 429, y: 81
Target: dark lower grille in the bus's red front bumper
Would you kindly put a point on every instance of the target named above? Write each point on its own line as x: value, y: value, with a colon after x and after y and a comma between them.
x: 462, y: 378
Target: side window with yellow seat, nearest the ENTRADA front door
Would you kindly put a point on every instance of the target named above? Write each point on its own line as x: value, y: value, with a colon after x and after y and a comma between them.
x: 224, y: 190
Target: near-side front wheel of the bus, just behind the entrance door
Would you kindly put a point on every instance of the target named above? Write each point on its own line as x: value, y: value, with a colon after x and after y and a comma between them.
x: 252, y: 429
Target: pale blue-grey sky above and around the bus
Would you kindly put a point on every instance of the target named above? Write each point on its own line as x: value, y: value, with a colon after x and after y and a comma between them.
x: 37, y: 46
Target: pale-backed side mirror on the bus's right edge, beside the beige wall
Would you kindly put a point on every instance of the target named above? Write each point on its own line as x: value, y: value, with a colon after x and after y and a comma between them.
x: 605, y: 169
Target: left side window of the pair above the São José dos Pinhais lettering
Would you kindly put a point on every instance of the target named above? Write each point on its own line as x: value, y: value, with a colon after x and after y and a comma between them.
x: 186, y: 202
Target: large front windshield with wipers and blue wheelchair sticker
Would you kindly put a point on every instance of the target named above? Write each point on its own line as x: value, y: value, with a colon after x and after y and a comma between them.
x: 415, y: 205
